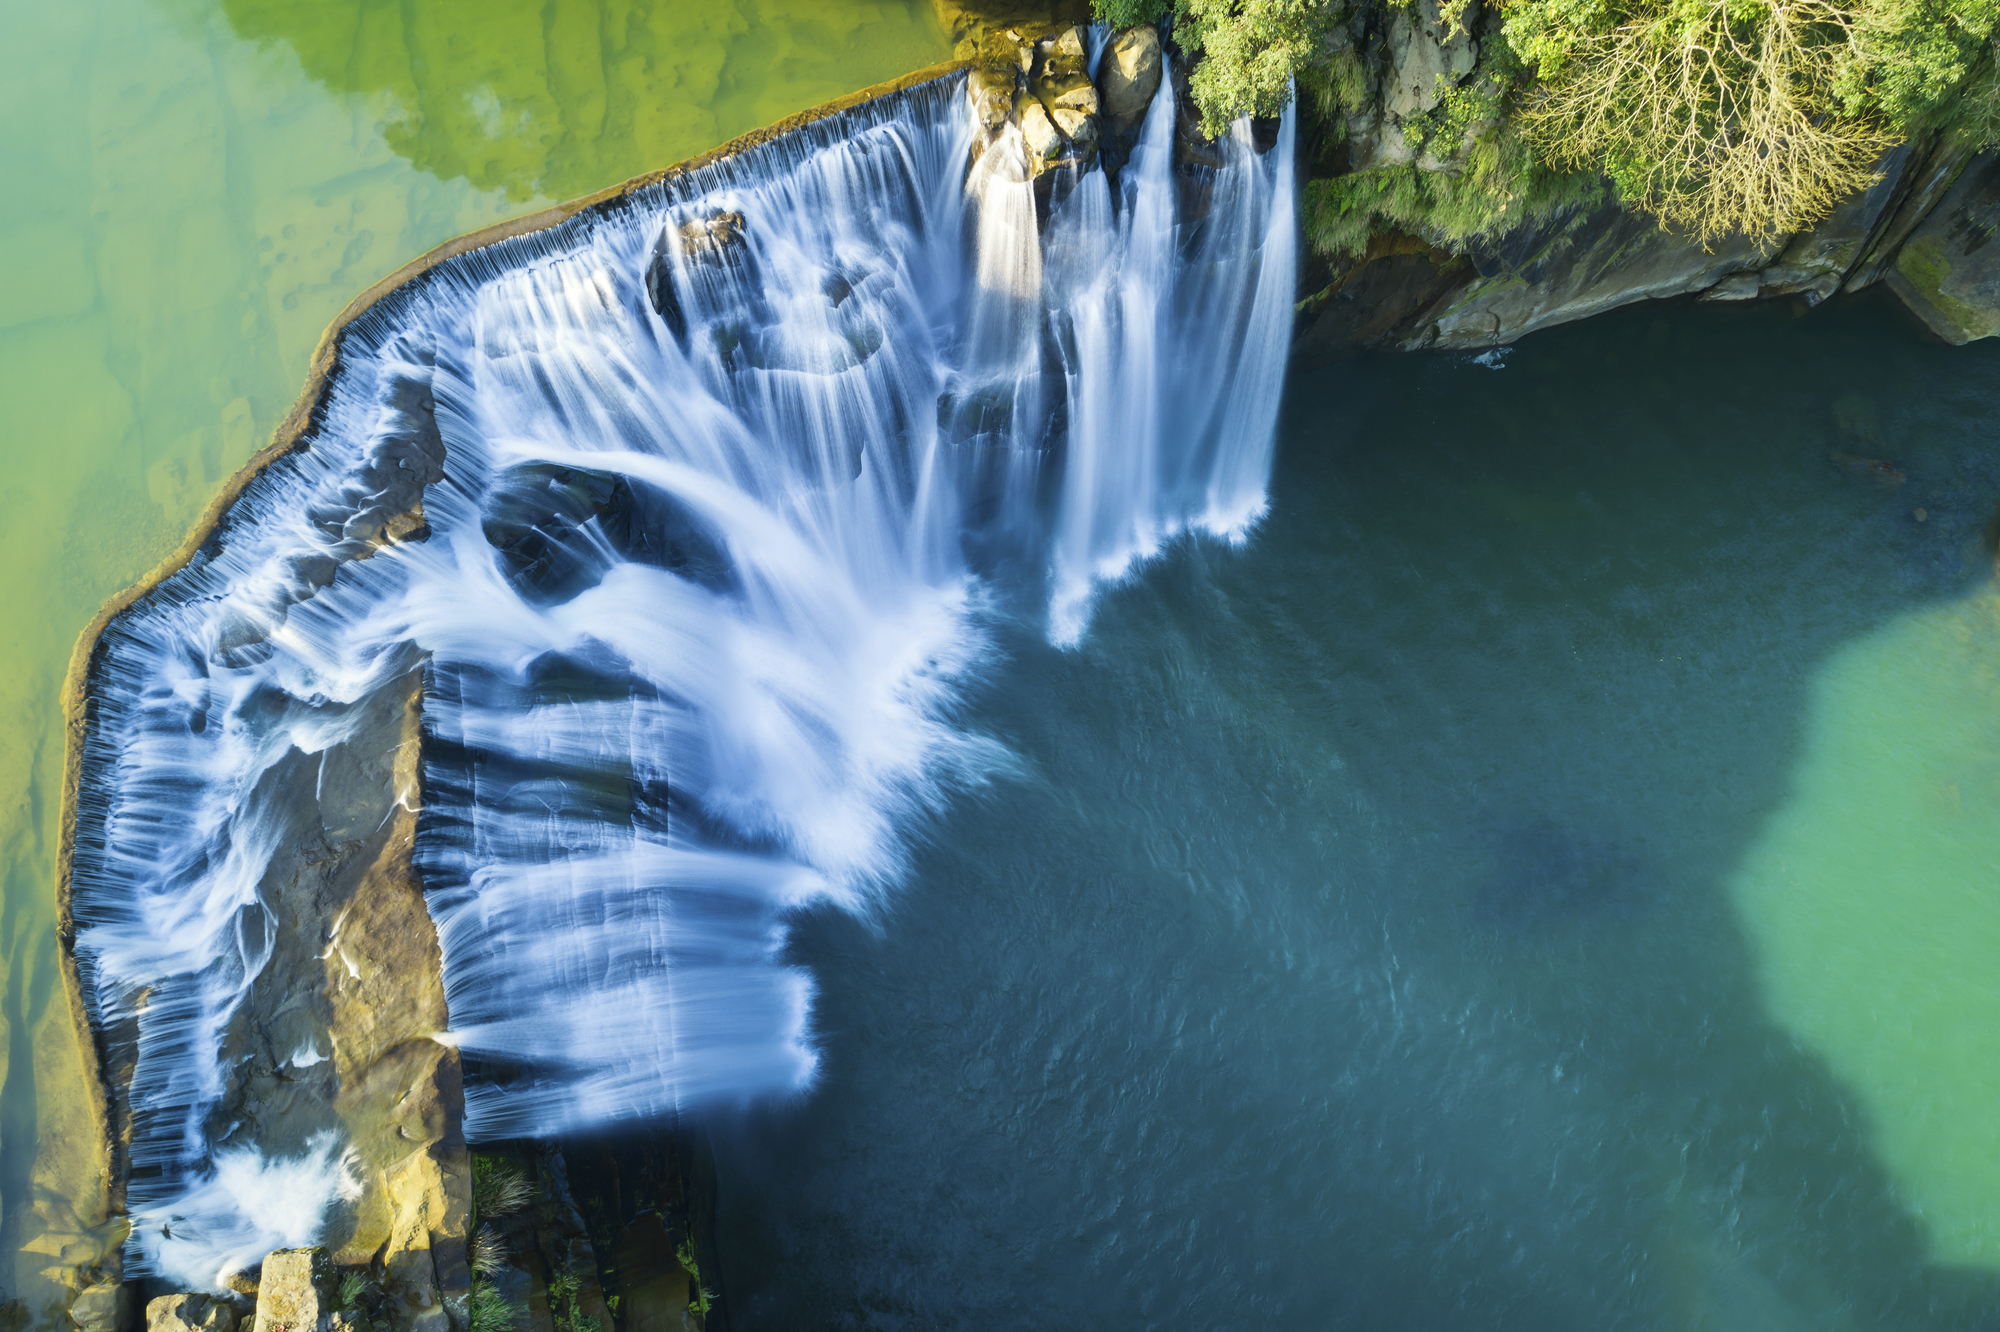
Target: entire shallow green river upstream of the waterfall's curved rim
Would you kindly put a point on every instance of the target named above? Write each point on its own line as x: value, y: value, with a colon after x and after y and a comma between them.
x: 195, y: 195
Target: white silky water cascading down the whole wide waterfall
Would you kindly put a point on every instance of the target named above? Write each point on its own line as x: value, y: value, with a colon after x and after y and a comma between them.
x: 719, y: 517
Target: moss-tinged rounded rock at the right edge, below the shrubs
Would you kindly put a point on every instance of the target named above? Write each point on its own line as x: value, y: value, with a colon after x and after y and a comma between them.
x: 1949, y: 269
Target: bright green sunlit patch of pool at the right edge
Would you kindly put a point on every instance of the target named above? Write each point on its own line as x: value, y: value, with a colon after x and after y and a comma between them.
x: 1875, y: 903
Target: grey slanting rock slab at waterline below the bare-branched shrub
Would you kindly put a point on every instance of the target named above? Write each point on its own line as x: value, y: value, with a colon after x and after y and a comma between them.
x: 1577, y: 265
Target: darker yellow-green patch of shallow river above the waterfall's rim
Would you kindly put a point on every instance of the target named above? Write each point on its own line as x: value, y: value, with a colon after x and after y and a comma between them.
x: 541, y: 101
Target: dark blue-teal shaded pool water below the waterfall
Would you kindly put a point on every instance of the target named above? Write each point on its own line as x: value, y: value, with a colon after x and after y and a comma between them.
x: 1357, y: 949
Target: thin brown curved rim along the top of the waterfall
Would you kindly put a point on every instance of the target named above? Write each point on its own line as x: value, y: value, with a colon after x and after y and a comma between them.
x: 107, y: 1133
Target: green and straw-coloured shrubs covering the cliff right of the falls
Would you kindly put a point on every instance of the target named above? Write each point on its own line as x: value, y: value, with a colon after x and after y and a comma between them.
x: 1713, y: 115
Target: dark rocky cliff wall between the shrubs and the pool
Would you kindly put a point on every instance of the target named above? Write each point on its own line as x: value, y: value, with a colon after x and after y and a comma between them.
x: 1921, y: 229
